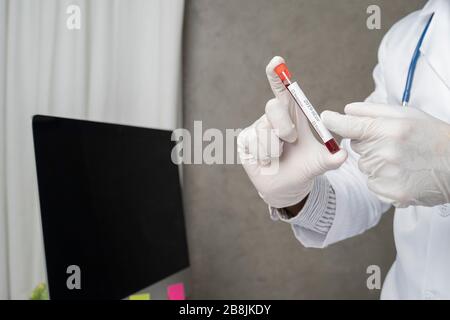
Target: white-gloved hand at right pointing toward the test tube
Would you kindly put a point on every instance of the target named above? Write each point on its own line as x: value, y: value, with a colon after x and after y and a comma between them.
x: 404, y: 151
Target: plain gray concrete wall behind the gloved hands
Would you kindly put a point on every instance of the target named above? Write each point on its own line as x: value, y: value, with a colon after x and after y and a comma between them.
x: 237, y: 252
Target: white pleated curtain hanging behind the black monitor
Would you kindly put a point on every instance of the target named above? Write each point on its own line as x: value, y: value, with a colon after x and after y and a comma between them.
x: 123, y: 65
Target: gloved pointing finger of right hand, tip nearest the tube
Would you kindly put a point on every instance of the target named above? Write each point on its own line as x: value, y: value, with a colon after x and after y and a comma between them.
x: 346, y: 126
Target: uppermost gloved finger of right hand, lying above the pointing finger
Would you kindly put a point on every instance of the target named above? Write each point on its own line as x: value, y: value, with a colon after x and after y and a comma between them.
x: 375, y: 110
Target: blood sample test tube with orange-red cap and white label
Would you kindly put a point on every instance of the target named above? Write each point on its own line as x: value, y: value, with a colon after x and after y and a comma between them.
x: 307, y: 108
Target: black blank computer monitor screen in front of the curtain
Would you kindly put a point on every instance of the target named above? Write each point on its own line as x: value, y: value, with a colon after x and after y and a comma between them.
x: 111, y: 204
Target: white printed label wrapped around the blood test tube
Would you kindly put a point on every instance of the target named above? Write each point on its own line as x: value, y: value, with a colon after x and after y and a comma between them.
x: 310, y: 112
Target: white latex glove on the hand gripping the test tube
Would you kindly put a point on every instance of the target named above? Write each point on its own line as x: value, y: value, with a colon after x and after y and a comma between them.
x: 282, y: 136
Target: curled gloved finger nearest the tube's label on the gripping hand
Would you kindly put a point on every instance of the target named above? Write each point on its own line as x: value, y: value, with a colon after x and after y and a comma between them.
x: 279, y: 116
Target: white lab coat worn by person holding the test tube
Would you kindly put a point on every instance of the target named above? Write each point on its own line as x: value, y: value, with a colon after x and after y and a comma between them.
x: 422, y: 235
